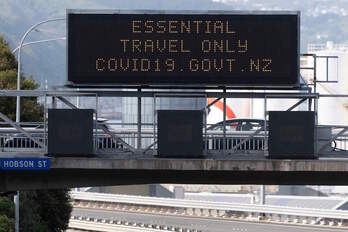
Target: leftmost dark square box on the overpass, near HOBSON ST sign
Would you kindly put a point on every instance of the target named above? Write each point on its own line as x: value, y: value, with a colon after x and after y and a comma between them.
x: 70, y: 131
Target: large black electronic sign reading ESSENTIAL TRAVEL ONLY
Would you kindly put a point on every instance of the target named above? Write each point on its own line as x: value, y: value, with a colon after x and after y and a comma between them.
x: 211, y: 48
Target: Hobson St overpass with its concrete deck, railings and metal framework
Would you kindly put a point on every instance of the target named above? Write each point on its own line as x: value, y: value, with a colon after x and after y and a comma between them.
x: 127, y: 154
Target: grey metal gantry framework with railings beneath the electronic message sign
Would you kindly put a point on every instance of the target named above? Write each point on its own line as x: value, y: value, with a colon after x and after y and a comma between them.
x: 24, y: 136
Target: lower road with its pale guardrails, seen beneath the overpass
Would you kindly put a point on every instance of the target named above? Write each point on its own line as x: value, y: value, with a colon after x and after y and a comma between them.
x: 107, y: 212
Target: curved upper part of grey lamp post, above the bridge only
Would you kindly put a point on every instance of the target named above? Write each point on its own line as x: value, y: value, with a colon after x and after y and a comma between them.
x: 18, y: 105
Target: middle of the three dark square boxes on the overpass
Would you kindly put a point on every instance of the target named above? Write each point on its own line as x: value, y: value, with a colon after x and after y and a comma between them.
x: 180, y: 133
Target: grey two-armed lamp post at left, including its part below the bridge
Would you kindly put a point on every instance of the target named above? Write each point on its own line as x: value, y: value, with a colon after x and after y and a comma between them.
x: 18, y: 105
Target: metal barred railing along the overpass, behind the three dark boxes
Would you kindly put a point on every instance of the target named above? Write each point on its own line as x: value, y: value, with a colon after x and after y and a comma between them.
x: 13, y: 141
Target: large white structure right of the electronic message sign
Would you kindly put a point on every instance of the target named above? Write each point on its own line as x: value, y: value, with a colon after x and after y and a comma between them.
x: 332, y: 74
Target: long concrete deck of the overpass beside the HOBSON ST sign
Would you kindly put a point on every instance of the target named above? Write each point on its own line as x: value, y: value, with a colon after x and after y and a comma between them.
x: 127, y: 168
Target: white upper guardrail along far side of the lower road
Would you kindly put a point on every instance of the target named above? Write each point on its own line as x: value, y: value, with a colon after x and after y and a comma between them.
x: 179, y: 203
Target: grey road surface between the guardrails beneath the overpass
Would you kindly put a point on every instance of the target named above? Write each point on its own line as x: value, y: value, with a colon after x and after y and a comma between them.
x: 203, y: 224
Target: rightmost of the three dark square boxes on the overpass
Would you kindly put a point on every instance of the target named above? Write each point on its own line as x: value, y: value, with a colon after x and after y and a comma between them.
x: 291, y: 135
